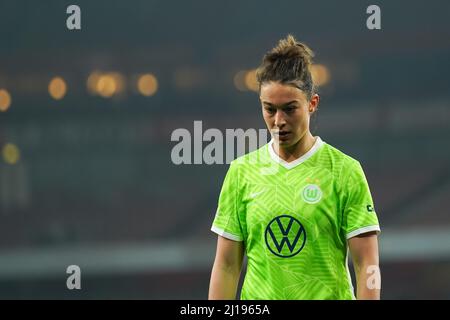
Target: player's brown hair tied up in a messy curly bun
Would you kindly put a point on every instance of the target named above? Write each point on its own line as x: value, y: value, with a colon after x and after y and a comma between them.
x: 288, y: 63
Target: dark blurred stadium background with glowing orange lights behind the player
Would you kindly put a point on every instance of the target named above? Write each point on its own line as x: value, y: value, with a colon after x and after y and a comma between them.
x: 86, y: 116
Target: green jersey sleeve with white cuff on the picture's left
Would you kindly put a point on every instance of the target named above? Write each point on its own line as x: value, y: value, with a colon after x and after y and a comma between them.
x: 226, y: 222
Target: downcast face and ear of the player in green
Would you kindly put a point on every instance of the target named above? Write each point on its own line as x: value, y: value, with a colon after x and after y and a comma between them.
x: 286, y: 111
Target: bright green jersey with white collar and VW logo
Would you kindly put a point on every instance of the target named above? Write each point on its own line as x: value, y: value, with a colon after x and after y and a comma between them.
x: 295, y: 219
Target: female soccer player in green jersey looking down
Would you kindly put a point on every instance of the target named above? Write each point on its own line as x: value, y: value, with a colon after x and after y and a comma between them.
x: 296, y: 205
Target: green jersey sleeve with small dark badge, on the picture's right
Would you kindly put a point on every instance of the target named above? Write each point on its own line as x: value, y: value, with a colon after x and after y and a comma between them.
x: 359, y: 215
